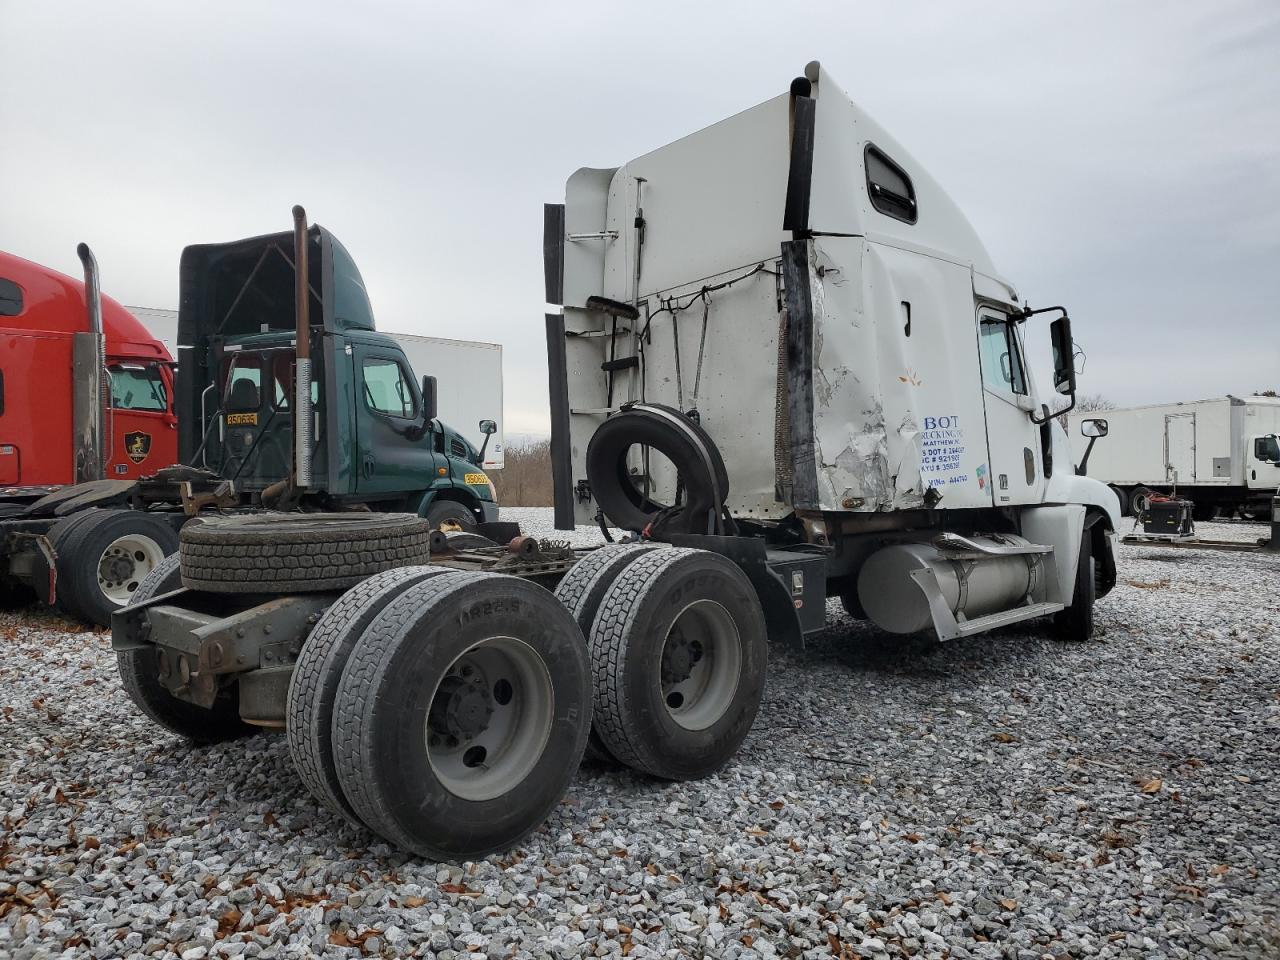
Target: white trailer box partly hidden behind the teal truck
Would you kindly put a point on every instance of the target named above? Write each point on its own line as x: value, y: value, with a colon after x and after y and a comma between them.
x: 468, y: 377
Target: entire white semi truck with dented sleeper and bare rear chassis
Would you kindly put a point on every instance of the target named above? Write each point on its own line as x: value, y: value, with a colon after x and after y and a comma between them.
x: 785, y: 364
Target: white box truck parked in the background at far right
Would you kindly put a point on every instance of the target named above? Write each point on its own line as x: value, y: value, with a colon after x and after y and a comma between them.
x: 1220, y: 454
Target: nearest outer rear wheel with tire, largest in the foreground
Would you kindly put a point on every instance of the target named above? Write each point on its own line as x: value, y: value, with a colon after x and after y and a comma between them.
x: 463, y: 715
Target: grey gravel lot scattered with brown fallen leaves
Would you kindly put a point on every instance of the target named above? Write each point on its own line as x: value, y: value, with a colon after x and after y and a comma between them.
x: 1005, y: 796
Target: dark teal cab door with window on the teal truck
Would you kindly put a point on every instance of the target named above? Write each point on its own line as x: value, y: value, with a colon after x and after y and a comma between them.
x: 394, y: 455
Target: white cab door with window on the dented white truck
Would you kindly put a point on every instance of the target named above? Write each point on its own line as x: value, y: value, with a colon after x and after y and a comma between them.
x: 1013, y: 441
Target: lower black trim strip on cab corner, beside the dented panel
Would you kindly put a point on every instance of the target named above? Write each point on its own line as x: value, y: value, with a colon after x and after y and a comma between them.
x: 797, y: 280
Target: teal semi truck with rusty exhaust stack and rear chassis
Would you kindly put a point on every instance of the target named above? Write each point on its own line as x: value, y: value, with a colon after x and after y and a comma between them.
x: 342, y: 424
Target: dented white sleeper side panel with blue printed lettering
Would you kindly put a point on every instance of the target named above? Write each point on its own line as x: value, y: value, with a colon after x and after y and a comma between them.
x: 898, y: 396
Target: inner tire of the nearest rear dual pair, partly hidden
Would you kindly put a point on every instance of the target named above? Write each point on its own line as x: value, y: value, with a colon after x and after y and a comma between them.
x: 317, y: 675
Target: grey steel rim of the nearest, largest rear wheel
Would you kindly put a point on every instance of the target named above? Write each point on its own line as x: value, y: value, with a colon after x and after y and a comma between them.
x: 491, y: 719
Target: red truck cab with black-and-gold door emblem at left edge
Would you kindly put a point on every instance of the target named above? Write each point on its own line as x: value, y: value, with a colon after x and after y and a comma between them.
x: 43, y: 313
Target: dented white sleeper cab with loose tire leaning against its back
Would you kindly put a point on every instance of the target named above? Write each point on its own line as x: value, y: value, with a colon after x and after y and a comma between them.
x: 783, y: 342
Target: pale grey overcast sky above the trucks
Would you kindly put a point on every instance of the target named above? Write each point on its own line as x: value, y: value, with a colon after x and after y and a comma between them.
x: 1119, y: 158
